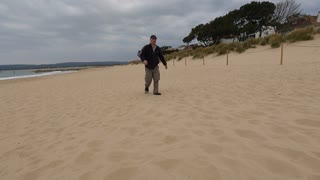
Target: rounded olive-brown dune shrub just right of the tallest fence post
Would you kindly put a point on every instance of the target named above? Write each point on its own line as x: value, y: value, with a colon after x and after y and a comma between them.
x: 300, y: 35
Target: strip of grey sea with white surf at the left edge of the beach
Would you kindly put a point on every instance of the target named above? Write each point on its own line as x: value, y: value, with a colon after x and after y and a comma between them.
x: 16, y: 74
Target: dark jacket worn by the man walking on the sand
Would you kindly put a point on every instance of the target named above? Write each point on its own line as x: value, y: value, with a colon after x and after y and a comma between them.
x: 152, y: 56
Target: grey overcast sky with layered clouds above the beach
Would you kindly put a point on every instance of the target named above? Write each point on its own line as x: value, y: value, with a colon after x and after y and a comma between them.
x: 53, y: 31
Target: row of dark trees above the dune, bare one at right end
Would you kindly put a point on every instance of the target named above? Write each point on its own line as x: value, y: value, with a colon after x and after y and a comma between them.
x: 247, y: 20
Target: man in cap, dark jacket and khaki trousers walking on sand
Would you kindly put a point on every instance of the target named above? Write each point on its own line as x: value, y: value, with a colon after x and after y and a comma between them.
x: 150, y: 55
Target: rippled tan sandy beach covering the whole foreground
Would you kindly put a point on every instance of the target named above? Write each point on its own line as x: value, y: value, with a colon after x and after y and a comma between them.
x: 253, y: 119
